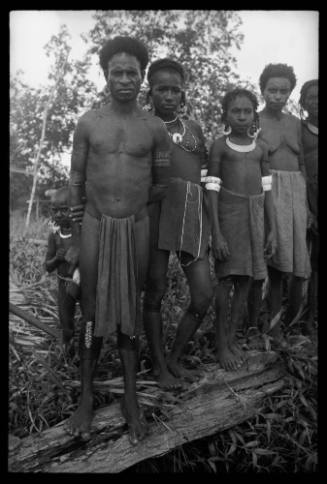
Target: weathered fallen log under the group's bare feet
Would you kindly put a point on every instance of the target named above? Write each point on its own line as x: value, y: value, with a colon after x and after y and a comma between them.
x: 217, y: 402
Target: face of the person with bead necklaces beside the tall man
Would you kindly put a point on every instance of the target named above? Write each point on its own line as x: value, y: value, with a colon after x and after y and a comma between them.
x: 166, y: 91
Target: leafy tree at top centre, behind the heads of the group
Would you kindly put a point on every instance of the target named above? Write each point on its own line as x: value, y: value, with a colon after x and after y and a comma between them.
x: 201, y: 40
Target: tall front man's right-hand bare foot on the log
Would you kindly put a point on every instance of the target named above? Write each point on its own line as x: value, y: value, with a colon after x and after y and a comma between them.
x: 137, y: 425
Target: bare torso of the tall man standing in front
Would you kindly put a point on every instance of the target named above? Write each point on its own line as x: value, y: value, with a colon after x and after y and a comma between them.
x: 119, y: 162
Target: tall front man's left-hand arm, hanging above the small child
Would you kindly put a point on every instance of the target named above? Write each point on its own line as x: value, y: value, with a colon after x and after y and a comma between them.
x: 77, y: 187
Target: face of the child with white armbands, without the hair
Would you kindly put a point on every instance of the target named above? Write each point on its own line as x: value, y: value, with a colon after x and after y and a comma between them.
x: 240, y: 114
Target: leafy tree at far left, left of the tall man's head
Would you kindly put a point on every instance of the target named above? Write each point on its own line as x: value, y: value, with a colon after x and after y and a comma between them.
x: 67, y: 94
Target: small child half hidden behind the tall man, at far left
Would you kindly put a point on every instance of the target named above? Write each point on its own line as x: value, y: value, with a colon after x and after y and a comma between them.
x: 58, y: 243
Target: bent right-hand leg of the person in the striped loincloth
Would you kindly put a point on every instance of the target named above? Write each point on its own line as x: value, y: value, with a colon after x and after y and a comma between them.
x: 198, y: 277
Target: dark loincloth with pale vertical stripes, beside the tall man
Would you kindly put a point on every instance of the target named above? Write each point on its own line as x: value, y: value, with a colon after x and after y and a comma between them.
x: 184, y: 223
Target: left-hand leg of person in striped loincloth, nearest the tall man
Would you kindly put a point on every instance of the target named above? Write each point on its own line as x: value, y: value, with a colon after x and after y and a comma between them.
x: 156, y: 287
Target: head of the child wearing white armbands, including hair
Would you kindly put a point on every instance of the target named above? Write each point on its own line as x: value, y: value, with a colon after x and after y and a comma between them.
x: 239, y: 110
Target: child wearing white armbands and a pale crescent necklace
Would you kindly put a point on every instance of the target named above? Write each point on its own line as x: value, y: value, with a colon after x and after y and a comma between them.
x: 239, y: 185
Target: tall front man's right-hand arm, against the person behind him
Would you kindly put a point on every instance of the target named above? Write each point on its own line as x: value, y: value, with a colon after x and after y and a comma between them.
x: 160, y: 162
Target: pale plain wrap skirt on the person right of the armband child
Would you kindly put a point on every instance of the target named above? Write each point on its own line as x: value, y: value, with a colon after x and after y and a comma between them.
x: 290, y: 212
